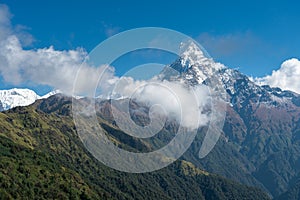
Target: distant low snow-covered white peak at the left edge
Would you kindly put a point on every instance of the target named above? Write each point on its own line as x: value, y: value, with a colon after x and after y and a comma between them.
x: 19, y: 97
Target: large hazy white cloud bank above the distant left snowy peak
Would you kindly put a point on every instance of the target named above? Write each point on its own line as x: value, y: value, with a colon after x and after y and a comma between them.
x: 46, y: 66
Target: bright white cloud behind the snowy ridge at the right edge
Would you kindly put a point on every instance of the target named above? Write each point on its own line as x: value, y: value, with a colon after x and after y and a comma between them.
x: 286, y: 78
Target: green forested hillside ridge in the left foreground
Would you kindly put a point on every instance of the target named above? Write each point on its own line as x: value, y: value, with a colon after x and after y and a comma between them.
x: 41, y: 157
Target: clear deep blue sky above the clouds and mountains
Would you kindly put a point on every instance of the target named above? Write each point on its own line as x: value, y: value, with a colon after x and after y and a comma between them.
x: 254, y: 36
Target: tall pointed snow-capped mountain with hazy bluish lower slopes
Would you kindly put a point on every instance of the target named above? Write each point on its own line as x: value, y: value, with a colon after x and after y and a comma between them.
x: 260, y: 141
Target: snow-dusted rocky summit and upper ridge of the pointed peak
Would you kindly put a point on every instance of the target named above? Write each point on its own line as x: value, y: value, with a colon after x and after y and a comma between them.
x: 194, y: 66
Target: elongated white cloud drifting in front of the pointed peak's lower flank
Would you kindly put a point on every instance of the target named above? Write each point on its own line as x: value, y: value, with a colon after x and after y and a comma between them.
x: 185, y: 104
